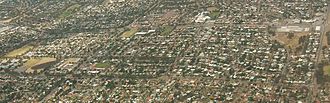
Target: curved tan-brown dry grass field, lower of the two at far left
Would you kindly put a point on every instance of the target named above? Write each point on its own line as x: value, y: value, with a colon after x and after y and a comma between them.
x: 33, y: 62
